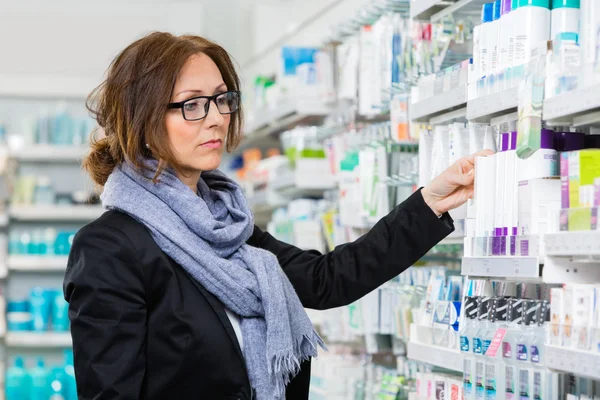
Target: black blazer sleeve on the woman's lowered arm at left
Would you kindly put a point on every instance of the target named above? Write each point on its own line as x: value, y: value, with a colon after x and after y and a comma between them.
x: 105, y: 289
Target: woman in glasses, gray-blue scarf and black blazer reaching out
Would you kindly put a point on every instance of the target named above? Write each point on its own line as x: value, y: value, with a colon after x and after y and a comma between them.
x: 173, y: 292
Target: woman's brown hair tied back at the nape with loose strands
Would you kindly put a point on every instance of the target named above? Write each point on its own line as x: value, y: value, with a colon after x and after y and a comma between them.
x: 130, y: 105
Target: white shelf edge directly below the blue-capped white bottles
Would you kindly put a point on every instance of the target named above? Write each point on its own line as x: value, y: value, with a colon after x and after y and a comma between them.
x: 483, y: 109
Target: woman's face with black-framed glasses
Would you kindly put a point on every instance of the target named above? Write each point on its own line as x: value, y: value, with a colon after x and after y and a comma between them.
x: 198, y: 145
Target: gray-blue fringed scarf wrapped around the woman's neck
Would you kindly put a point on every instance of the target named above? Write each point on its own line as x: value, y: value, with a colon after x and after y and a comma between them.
x: 206, y: 234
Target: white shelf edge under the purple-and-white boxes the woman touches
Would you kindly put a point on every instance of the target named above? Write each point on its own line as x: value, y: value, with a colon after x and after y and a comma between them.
x: 505, y: 267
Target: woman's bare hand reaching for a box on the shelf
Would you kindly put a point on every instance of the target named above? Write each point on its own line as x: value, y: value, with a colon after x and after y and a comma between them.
x: 453, y: 187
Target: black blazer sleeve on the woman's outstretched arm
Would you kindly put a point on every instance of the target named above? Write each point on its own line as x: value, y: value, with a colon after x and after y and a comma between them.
x: 352, y: 270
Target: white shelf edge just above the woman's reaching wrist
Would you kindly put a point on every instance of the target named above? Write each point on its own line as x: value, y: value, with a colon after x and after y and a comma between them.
x: 441, y: 105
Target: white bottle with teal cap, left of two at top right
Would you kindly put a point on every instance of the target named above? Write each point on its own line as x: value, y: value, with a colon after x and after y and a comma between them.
x: 532, y: 24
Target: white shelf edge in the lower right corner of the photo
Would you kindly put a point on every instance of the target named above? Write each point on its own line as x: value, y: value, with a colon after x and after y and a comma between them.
x: 578, y: 362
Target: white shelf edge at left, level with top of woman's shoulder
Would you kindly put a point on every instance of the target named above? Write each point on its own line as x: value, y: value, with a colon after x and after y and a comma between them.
x: 56, y: 213
